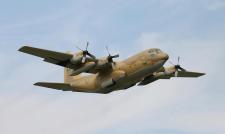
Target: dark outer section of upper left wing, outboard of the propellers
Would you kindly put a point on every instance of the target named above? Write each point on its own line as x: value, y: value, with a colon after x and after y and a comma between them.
x: 58, y: 58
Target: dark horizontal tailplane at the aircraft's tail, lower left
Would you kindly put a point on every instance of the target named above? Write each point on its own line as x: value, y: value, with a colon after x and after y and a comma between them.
x: 57, y: 86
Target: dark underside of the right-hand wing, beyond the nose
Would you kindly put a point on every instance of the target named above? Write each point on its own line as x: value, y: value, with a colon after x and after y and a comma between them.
x: 183, y: 74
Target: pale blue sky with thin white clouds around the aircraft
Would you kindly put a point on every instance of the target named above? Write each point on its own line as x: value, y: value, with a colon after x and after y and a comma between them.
x: 192, y: 29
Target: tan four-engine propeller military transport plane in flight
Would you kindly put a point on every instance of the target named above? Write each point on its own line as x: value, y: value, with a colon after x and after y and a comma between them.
x: 106, y: 75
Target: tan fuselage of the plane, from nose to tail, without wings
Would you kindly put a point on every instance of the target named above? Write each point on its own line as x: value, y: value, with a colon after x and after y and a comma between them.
x: 125, y: 74
